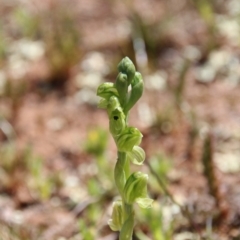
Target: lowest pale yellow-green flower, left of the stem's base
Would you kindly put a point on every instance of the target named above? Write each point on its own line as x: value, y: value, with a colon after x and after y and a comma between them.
x: 116, y: 222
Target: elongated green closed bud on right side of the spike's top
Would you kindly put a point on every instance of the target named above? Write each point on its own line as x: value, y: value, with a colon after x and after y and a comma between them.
x: 136, y: 92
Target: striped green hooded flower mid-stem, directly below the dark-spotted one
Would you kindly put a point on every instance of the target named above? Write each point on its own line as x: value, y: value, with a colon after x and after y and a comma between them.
x: 128, y: 139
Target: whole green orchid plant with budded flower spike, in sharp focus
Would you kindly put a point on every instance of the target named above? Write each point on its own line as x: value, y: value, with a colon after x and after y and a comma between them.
x: 117, y: 99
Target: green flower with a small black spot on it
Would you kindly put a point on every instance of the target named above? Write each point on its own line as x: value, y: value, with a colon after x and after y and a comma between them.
x: 117, y: 122
